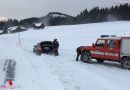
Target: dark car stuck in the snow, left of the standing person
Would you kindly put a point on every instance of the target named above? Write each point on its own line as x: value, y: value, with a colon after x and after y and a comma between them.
x: 45, y: 47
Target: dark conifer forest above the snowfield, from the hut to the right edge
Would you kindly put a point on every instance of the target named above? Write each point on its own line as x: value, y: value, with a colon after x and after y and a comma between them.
x: 121, y: 12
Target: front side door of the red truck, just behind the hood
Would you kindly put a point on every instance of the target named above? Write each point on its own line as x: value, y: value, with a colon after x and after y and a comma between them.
x: 99, y: 50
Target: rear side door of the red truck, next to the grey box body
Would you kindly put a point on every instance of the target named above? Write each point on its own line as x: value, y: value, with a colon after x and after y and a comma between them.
x: 112, y: 50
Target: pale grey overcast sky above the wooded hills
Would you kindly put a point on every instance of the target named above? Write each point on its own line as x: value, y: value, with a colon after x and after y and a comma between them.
x: 34, y: 8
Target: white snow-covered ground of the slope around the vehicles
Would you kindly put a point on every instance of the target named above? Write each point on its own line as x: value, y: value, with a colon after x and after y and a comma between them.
x: 47, y: 72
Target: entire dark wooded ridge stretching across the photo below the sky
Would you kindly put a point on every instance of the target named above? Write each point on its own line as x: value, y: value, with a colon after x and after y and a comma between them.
x: 120, y: 12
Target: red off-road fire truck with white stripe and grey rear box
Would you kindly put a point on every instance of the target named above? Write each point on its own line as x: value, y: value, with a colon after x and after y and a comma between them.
x: 108, y: 48
